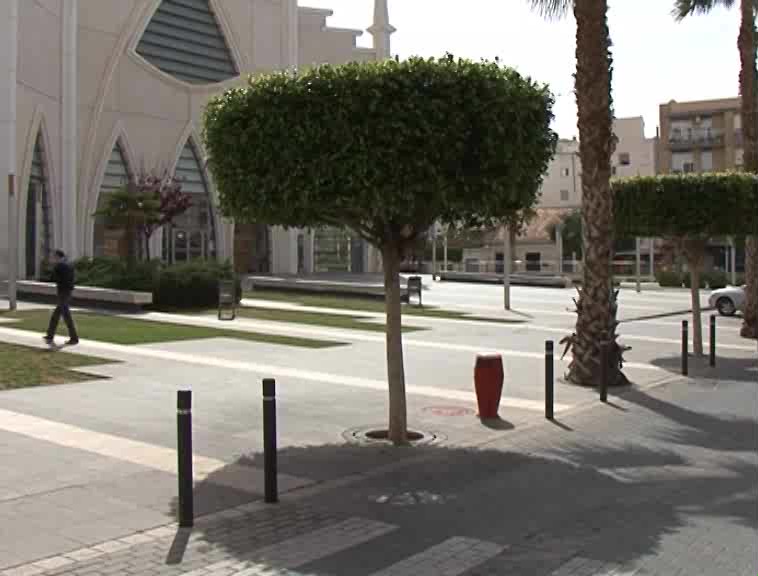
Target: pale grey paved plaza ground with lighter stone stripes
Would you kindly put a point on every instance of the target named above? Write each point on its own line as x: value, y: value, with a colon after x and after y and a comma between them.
x: 662, y: 480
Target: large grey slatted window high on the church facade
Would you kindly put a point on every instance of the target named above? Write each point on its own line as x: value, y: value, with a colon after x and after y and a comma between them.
x: 184, y: 40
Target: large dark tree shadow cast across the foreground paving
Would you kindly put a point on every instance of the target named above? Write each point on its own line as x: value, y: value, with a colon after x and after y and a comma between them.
x: 575, y: 500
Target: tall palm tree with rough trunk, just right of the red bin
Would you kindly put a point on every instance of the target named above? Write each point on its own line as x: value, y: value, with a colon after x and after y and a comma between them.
x: 596, y: 320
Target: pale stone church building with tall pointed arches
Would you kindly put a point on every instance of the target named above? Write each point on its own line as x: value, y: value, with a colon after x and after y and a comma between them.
x: 95, y: 91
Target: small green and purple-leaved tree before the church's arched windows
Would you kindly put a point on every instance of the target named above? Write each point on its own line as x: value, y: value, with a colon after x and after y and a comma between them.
x: 148, y: 202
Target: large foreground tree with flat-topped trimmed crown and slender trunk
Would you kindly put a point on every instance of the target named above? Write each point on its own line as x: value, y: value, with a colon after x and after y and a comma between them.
x: 385, y: 149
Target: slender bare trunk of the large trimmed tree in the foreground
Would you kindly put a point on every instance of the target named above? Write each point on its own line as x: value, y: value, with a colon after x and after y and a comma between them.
x: 395, y: 371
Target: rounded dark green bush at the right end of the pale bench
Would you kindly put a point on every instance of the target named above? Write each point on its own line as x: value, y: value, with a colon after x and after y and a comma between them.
x: 192, y: 285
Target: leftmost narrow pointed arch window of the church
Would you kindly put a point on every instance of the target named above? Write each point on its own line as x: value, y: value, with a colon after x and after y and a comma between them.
x: 38, y: 214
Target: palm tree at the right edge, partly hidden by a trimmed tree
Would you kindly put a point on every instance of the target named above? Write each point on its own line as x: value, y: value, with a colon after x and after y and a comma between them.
x: 747, y: 47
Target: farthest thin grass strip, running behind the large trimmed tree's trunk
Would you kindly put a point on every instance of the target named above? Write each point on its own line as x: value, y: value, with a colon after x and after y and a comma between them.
x: 366, y: 305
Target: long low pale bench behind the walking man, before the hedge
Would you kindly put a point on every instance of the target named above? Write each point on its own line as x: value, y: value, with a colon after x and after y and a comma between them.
x: 84, y: 295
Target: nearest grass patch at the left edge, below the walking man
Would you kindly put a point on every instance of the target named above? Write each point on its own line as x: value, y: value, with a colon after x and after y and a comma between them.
x: 24, y: 367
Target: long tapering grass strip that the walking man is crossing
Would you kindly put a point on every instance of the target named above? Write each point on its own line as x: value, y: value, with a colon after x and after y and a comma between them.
x: 128, y: 331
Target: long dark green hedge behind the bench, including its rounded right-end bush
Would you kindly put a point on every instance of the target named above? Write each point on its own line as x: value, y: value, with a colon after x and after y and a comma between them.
x: 179, y: 286
